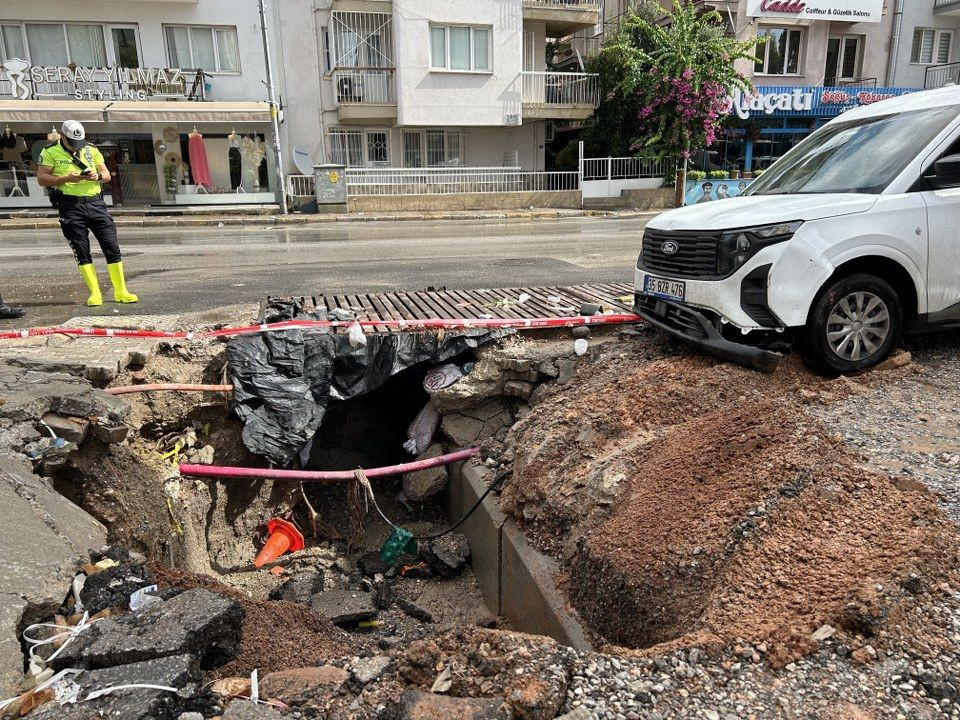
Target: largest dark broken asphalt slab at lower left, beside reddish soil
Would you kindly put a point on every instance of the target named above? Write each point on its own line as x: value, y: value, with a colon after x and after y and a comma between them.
x: 196, y: 622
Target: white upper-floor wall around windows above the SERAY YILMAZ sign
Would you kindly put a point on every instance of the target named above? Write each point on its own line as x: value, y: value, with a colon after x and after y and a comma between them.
x: 150, y: 16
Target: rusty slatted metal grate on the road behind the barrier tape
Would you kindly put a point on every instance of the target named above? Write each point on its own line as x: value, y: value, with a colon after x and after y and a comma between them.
x: 471, y: 304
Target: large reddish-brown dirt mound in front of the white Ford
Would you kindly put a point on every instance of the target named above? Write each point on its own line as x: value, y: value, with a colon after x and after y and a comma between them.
x: 698, y: 502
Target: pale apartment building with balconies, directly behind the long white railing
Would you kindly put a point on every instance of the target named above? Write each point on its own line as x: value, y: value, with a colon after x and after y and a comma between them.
x: 428, y: 83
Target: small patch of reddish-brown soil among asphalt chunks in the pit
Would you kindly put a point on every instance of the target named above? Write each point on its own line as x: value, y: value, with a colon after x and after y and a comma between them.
x: 276, y: 635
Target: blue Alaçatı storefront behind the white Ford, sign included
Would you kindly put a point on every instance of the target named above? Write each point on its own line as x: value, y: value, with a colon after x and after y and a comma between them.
x: 763, y: 126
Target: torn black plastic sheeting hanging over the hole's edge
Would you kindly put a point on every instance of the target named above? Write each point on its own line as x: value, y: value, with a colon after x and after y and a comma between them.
x: 284, y: 380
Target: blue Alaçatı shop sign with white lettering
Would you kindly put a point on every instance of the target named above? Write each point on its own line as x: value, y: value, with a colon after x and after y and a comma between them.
x: 810, y: 101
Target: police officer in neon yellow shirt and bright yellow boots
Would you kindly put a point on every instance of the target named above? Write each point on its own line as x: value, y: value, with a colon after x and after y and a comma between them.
x: 73, y: 170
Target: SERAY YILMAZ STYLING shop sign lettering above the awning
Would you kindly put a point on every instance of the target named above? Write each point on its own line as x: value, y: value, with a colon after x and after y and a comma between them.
x: 27, y: 81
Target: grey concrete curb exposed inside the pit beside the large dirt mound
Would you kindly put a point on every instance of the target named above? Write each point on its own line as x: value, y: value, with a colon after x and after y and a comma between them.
x: 516, y: 580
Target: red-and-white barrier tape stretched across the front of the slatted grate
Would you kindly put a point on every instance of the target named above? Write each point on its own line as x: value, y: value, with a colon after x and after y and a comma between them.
x: 435, y: 323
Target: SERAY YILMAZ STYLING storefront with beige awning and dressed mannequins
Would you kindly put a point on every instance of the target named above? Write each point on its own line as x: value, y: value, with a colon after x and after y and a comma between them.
x: 164, y: 143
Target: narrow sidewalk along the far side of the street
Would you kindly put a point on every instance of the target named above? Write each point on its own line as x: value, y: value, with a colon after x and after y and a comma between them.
x: 48, y: 221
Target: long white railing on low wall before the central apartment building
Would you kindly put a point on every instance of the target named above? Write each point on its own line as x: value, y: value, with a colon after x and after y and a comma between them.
x: 440, y: 181
